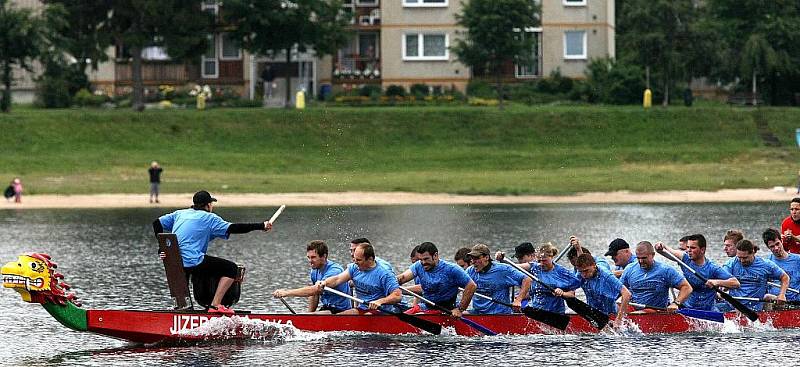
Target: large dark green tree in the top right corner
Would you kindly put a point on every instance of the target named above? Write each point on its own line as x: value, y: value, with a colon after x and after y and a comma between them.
x: 759, y: 39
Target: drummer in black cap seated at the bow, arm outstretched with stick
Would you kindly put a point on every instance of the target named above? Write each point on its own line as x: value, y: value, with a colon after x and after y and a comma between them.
x: 195, y: 227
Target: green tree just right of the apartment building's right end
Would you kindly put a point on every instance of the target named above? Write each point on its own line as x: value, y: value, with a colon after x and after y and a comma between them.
x: 661, y: 35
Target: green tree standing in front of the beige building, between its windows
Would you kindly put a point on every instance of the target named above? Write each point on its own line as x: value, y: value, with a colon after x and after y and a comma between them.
x: 494, y: 35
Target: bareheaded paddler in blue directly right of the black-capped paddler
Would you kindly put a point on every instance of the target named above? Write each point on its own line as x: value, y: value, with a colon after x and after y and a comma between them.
x: 650, y: 281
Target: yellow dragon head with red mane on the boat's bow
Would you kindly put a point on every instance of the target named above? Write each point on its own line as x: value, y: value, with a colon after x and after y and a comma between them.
x: 35, y: 278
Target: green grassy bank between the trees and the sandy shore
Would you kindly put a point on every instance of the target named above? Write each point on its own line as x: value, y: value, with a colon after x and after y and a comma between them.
x: 543, y: 150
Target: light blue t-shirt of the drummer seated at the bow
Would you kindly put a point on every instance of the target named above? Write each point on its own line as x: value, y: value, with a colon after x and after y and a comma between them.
x: 194, y: 229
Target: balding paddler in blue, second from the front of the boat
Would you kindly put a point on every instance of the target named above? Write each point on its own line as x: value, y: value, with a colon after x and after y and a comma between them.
x: 374, y: 284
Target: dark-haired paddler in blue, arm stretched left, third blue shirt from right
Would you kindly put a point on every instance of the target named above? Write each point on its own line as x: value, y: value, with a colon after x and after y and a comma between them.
x: 703, y: 296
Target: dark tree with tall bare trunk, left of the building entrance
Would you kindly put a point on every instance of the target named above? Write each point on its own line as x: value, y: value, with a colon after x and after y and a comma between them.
x: 179, y: 26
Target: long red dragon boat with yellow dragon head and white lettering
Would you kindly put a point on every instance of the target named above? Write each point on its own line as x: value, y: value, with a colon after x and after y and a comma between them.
x: 36, y: 280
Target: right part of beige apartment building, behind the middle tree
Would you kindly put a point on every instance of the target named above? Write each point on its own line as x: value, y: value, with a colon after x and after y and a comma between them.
x: 403, y: 42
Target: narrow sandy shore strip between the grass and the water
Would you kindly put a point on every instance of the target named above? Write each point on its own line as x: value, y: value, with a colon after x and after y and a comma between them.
x: 777, y: 194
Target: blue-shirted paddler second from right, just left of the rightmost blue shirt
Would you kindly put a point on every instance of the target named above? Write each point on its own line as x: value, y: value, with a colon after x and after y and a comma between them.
x: 754, y: 273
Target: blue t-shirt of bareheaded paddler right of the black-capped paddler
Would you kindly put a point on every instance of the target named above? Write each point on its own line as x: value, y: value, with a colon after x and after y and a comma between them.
x: 651, y: 287
